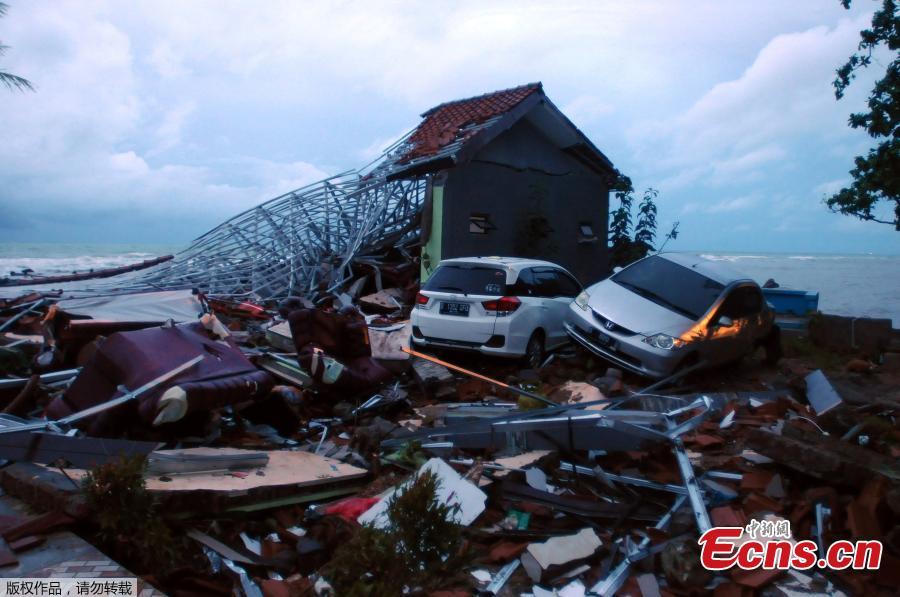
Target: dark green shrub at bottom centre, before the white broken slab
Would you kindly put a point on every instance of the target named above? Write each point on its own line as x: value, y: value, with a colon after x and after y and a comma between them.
x: 419, y: 549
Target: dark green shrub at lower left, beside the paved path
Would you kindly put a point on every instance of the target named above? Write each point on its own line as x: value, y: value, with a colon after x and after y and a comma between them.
x: 130, y: 525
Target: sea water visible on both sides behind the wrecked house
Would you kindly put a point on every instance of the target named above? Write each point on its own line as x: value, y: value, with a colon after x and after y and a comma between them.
x: 854, y: 285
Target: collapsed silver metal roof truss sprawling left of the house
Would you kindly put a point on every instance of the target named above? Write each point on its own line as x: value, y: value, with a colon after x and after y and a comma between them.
x: 302, y: 243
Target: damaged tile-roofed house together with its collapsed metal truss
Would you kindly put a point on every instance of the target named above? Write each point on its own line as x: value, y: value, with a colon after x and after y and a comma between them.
x: 504, y: 173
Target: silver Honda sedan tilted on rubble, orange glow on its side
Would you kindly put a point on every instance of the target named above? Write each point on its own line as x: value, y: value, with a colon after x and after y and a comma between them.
x: 670, y: 311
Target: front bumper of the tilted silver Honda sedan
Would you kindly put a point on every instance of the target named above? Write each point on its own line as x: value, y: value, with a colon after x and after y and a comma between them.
x: 630, y: 353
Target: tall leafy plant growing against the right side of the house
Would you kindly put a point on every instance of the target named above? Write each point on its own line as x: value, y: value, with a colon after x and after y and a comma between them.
x: 623, y: 248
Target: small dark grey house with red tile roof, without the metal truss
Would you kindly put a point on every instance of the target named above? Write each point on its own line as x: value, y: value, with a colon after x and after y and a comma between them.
x: 511, y: 175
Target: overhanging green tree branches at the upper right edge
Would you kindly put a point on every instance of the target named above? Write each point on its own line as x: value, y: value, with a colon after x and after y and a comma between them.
x: 876, y: 176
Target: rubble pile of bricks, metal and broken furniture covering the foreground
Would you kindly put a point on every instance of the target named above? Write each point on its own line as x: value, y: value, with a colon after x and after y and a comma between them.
x: 303, y: 449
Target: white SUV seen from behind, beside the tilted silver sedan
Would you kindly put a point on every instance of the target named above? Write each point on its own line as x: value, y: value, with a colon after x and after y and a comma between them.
x: 505, y: 306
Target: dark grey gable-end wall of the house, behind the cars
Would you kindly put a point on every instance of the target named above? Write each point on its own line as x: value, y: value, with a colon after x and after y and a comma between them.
x: 517, y: 180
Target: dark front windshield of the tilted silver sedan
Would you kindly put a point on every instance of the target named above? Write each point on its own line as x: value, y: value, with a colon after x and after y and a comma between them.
x: 671, y: 285
